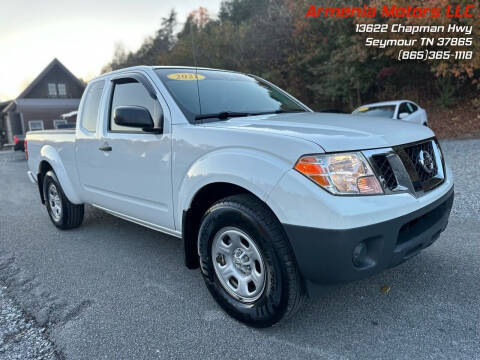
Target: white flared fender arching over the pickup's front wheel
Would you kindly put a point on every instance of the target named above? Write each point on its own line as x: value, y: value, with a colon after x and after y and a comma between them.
x: 255, y: 171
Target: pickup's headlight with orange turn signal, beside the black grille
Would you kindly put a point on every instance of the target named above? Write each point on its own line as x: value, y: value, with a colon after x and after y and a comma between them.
x: 341, y: 174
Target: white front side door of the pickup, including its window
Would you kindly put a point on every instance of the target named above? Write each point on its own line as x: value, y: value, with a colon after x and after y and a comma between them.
x: 134, y: 167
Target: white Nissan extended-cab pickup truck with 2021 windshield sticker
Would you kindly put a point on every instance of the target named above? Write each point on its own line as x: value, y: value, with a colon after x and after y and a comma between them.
x: 271, y: 200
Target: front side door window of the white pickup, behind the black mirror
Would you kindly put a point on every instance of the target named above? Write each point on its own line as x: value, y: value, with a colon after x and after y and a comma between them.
x: 129, y: 92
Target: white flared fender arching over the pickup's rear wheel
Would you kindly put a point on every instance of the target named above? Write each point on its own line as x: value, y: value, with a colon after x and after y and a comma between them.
x: 50, y: 155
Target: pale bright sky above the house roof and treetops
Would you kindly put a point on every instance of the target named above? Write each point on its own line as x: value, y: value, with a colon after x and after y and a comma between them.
x: 82, y: 34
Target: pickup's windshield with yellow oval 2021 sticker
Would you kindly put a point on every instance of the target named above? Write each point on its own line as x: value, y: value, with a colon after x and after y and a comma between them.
x: 223, y: 93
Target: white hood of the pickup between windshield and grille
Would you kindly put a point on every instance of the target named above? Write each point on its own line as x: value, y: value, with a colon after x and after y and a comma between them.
x: 333, y: 132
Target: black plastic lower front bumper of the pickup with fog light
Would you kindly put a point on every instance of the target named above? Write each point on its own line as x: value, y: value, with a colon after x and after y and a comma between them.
x: 326, y: 256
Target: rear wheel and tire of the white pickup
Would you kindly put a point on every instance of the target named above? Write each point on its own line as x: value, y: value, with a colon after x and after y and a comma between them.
x: 62, y: 212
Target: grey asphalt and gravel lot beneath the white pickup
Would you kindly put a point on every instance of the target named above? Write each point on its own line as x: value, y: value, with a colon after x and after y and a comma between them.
x: 115, y: 290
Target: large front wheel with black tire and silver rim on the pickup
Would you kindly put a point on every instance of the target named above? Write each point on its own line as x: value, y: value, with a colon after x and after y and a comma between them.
x: 247, y: 218
